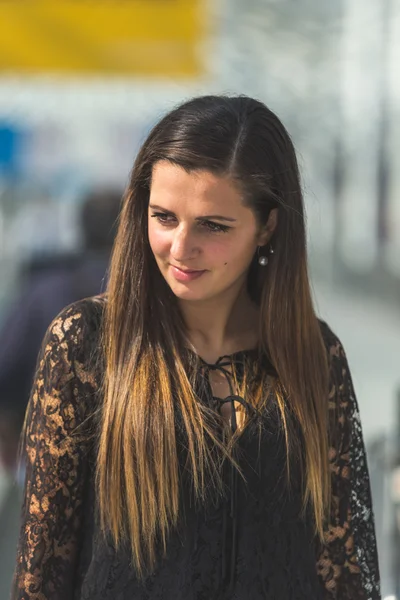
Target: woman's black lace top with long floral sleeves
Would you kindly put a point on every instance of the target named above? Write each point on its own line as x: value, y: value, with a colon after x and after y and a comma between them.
x: 252, y: 544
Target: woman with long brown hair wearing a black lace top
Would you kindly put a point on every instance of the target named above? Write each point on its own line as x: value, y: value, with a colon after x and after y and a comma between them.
x: 194, y: 433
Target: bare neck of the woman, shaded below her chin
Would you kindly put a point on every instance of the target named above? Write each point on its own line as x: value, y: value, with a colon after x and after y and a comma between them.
x: 221, y: 326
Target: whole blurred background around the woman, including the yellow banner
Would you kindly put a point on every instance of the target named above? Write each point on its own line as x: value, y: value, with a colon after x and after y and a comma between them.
x: 82, y: 82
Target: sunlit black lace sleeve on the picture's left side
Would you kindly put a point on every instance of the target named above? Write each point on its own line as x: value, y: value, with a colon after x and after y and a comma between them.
x: 55, y: 448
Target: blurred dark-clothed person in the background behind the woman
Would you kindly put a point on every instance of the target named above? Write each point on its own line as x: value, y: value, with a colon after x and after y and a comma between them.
x: 47, y: 285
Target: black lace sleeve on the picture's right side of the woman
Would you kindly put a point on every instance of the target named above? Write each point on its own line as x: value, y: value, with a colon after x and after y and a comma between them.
x: 348, y: 564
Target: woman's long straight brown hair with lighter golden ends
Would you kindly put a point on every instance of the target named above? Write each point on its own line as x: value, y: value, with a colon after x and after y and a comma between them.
x: 147, y: 382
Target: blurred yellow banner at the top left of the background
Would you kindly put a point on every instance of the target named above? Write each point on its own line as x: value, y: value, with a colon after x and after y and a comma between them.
x: 138, y: 37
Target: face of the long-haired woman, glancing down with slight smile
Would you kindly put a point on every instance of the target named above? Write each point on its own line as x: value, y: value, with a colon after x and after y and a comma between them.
x: 202, y: 236
